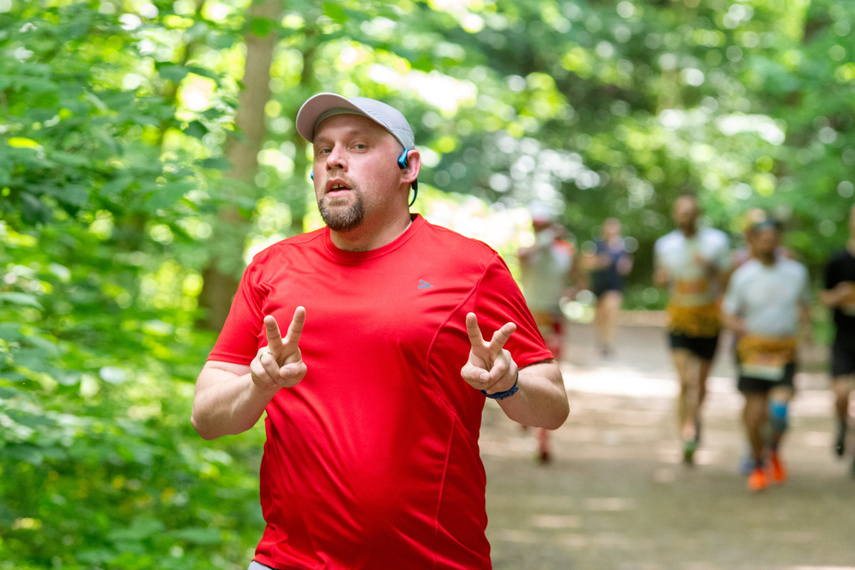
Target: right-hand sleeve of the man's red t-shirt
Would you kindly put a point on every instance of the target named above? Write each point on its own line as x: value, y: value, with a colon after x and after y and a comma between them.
x: 498, y: 301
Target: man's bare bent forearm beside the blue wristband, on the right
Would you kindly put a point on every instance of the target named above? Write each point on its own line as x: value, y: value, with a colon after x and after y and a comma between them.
x: 541, y: 400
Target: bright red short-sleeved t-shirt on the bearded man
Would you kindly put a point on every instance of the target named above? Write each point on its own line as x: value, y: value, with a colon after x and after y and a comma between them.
x: 372, y: 460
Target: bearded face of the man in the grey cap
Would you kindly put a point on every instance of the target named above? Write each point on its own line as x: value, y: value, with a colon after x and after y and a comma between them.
x: 356, y: 176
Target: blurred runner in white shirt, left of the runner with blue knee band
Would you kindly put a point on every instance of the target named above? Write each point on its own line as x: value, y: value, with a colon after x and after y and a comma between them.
x: 693, y: 262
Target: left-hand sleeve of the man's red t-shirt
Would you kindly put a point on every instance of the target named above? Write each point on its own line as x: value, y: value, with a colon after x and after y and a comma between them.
x: 238, y: 342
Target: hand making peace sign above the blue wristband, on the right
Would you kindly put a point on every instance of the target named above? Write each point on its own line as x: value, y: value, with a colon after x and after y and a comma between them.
x: 490, y: 366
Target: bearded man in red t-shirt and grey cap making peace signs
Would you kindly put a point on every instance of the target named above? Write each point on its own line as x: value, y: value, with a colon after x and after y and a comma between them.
x: 374, y: 394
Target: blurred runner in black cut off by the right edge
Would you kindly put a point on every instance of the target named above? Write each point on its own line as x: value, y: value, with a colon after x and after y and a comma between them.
x: 839, y: 295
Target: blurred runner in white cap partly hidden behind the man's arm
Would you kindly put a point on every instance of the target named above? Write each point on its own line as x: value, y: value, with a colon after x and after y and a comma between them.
x: 548, y: 268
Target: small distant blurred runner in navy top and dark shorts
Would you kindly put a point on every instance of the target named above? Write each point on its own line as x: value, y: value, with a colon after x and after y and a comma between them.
x: 609, y: 265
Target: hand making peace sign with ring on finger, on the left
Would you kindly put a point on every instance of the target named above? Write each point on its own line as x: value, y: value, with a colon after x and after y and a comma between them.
x: 280, y: 364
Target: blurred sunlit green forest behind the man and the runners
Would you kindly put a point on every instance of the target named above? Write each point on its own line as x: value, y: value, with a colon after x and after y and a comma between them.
x: 148, y: 150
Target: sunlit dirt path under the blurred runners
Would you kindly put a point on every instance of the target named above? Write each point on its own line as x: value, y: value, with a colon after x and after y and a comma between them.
x: 617, y: 497
